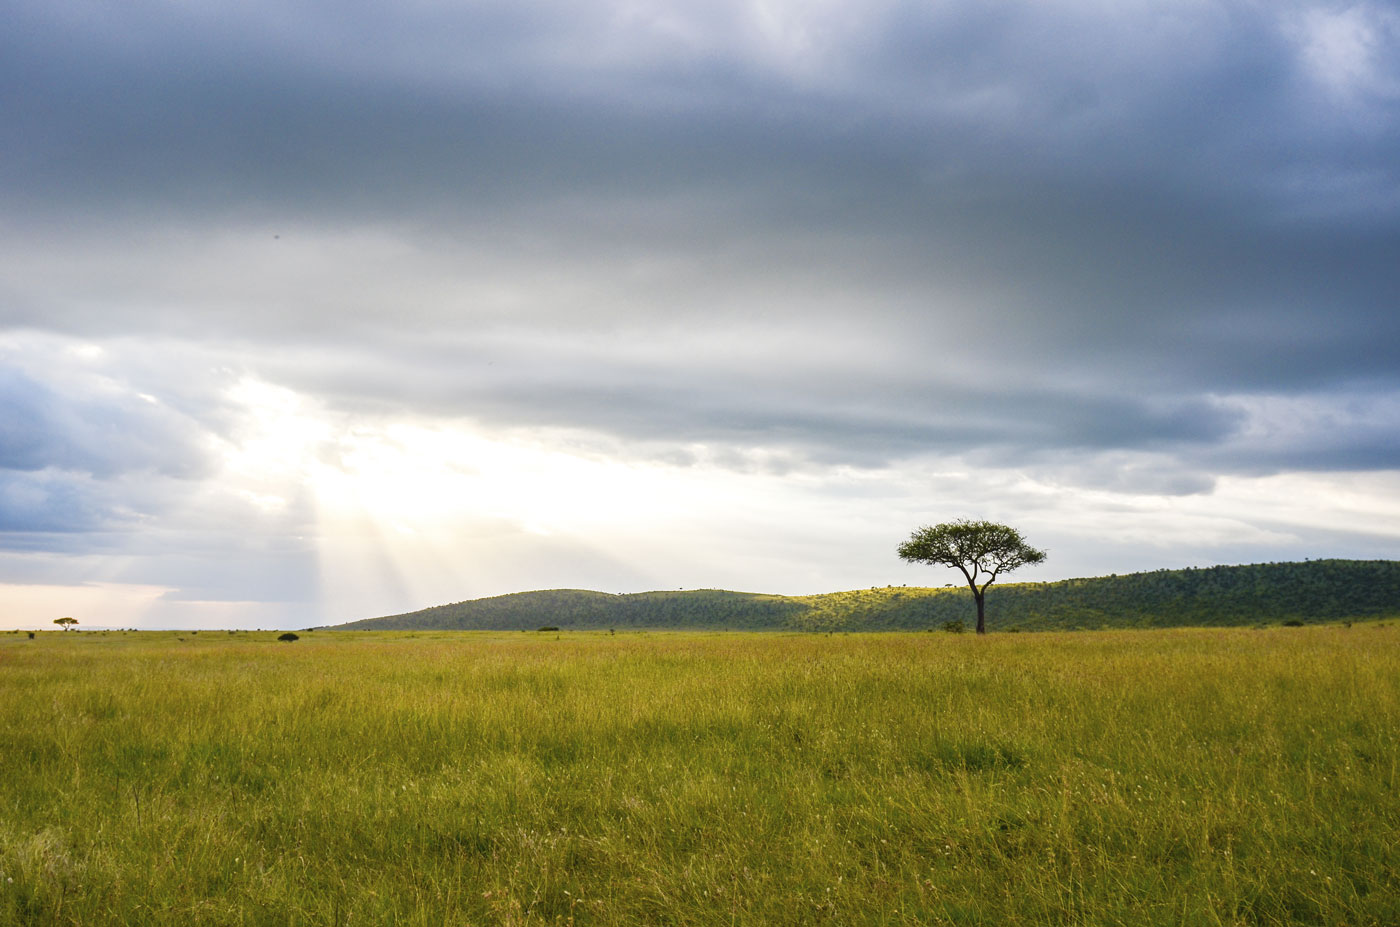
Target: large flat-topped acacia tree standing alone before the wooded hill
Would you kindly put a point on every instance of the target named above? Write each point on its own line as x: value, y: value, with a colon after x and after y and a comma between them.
x: 982, y: 550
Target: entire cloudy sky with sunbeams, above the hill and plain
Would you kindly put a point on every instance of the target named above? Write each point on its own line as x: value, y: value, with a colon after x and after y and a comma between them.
x: 318, y: 312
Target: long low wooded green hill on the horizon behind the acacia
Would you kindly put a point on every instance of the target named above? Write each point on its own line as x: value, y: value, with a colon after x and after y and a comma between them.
x: 1265, y: 593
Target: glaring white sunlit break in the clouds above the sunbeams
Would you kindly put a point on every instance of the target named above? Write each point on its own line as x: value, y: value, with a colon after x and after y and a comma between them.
x: 419, y: 478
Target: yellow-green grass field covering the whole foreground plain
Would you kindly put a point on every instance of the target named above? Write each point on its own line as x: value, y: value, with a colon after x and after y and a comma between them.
x: 1111, y: 778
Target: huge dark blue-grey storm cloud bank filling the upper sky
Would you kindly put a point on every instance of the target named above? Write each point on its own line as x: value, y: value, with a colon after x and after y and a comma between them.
x: 1076, y: 228
